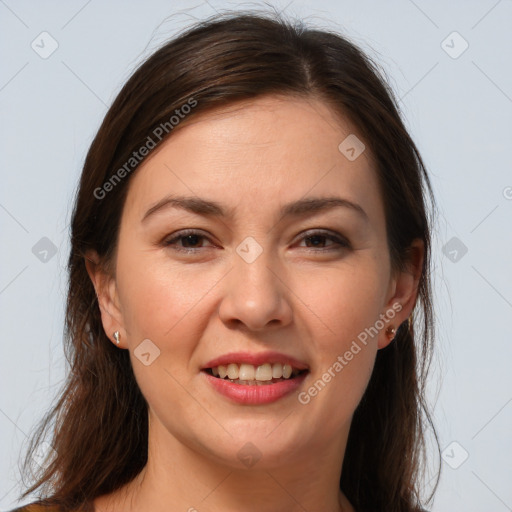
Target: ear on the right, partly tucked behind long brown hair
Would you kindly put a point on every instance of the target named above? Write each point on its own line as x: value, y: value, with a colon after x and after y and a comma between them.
x: 403, y: 291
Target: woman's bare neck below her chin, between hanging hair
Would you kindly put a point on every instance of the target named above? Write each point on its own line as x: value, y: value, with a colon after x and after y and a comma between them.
x: 192, y: 481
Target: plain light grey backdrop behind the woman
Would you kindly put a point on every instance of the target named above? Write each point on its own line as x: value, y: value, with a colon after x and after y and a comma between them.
x: 459, y: 111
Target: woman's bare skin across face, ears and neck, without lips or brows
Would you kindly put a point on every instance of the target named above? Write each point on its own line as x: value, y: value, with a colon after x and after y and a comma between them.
x: 305, y: 300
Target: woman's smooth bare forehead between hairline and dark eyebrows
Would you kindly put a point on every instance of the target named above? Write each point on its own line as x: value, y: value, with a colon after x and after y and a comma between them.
x: 269, y: 150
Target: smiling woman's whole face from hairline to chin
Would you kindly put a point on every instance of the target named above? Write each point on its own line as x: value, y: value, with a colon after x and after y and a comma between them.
x: 265, y: 272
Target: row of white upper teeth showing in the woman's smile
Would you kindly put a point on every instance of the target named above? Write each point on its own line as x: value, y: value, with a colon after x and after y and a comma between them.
x: 250, y: 374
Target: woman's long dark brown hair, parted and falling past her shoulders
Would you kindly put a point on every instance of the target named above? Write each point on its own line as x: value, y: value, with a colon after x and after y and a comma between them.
x: 98, y: 427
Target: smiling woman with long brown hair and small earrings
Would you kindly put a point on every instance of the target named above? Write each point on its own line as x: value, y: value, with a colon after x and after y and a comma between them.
x: 250, y: 240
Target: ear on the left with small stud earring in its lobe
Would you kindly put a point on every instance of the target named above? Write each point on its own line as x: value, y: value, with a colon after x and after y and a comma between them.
x: 106, y: 292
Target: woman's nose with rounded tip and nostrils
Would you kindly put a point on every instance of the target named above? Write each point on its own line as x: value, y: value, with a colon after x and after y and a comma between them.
x: 255, y: 295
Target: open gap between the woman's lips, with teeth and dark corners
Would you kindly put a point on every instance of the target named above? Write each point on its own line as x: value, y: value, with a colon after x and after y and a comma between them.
x: 255, y: 375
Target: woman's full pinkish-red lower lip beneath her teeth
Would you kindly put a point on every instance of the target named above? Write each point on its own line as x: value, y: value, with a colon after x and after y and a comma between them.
x: 256, y: 394
